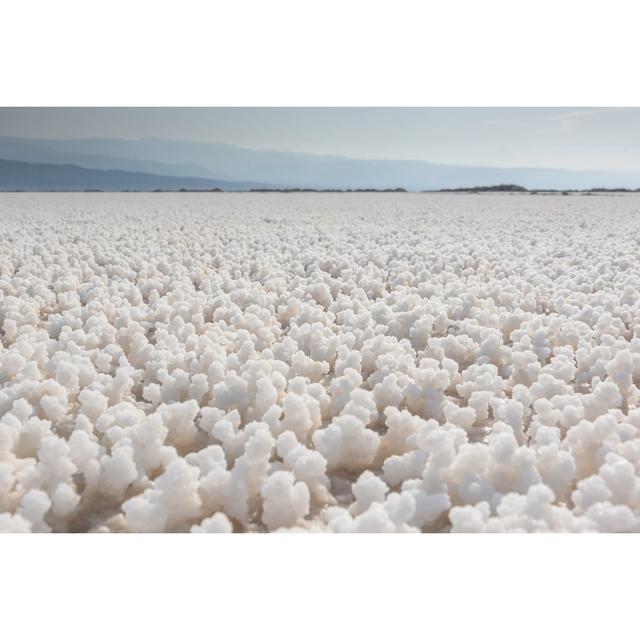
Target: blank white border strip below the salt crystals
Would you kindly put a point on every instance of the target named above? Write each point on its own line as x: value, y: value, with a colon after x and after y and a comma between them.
x: 319, y: 587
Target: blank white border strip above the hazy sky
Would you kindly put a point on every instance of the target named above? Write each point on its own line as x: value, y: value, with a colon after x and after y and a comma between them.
x: 334, y: 52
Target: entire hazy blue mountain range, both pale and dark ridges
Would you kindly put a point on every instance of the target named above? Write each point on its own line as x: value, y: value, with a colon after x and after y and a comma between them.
x: 152, y: 163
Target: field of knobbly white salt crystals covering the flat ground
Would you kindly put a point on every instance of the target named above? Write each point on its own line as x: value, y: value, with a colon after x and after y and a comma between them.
x: 319, y: 363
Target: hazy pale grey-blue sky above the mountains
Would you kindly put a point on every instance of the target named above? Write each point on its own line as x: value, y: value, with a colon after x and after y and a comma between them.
x: 577, y: 138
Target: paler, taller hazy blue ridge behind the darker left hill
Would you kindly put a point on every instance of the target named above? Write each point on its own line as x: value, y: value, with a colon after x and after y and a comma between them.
x: 223, y: 162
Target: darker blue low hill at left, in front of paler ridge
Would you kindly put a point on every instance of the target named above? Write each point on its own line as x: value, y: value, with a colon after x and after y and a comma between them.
x: 32, y: 176
